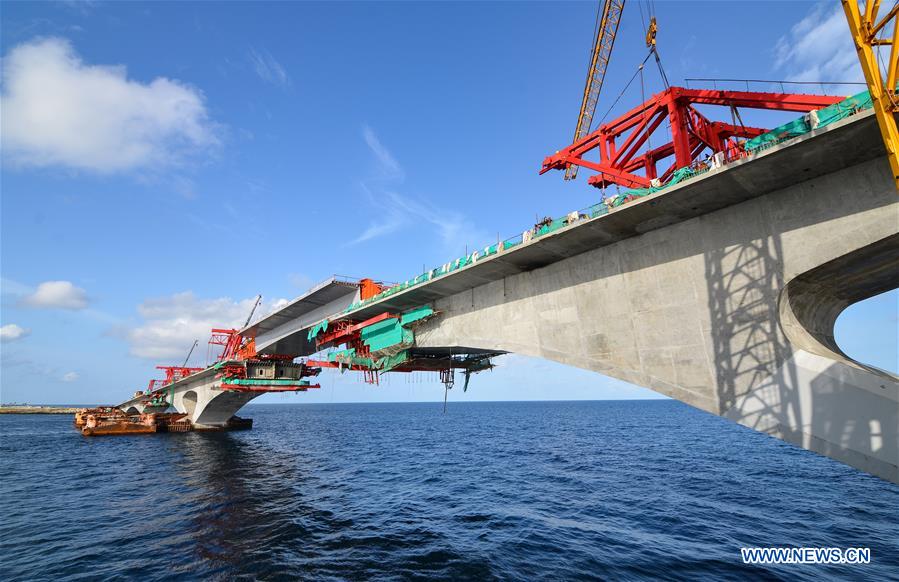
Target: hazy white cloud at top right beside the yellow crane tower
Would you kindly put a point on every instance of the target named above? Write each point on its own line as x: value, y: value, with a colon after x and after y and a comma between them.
x: 819, y: 48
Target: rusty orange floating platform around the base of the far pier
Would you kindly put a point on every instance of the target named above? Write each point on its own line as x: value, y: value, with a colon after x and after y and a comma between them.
x: 108, y: 421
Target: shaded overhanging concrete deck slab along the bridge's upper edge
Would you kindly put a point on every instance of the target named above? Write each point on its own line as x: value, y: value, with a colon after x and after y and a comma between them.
x: 846, y: 143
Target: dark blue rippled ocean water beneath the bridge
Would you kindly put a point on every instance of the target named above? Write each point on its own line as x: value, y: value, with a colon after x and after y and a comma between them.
x: 623, y: 490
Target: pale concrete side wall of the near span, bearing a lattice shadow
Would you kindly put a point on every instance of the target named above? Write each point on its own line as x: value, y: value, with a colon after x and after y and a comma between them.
x: 732, y: 311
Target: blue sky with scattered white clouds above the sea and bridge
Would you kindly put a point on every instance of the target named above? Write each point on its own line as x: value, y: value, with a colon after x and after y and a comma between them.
x: 167, y: 162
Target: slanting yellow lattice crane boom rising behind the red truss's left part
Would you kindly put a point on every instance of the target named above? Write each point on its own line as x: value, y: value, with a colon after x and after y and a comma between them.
x: 602, y: 50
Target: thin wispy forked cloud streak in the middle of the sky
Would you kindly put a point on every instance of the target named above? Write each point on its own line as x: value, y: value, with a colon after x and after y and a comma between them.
x: 396, y: 210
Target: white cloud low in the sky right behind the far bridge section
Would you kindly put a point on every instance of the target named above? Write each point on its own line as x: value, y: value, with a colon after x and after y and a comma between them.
x: 172, y: 323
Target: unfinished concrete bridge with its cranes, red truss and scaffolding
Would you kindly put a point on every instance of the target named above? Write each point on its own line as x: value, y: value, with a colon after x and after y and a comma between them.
x: 714, y: 277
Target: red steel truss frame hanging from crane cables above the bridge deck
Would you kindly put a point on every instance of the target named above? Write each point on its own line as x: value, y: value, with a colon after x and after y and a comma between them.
x: 620, y: 140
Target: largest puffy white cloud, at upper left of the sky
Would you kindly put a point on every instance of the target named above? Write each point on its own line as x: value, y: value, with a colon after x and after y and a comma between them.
x: 60, y: 111
